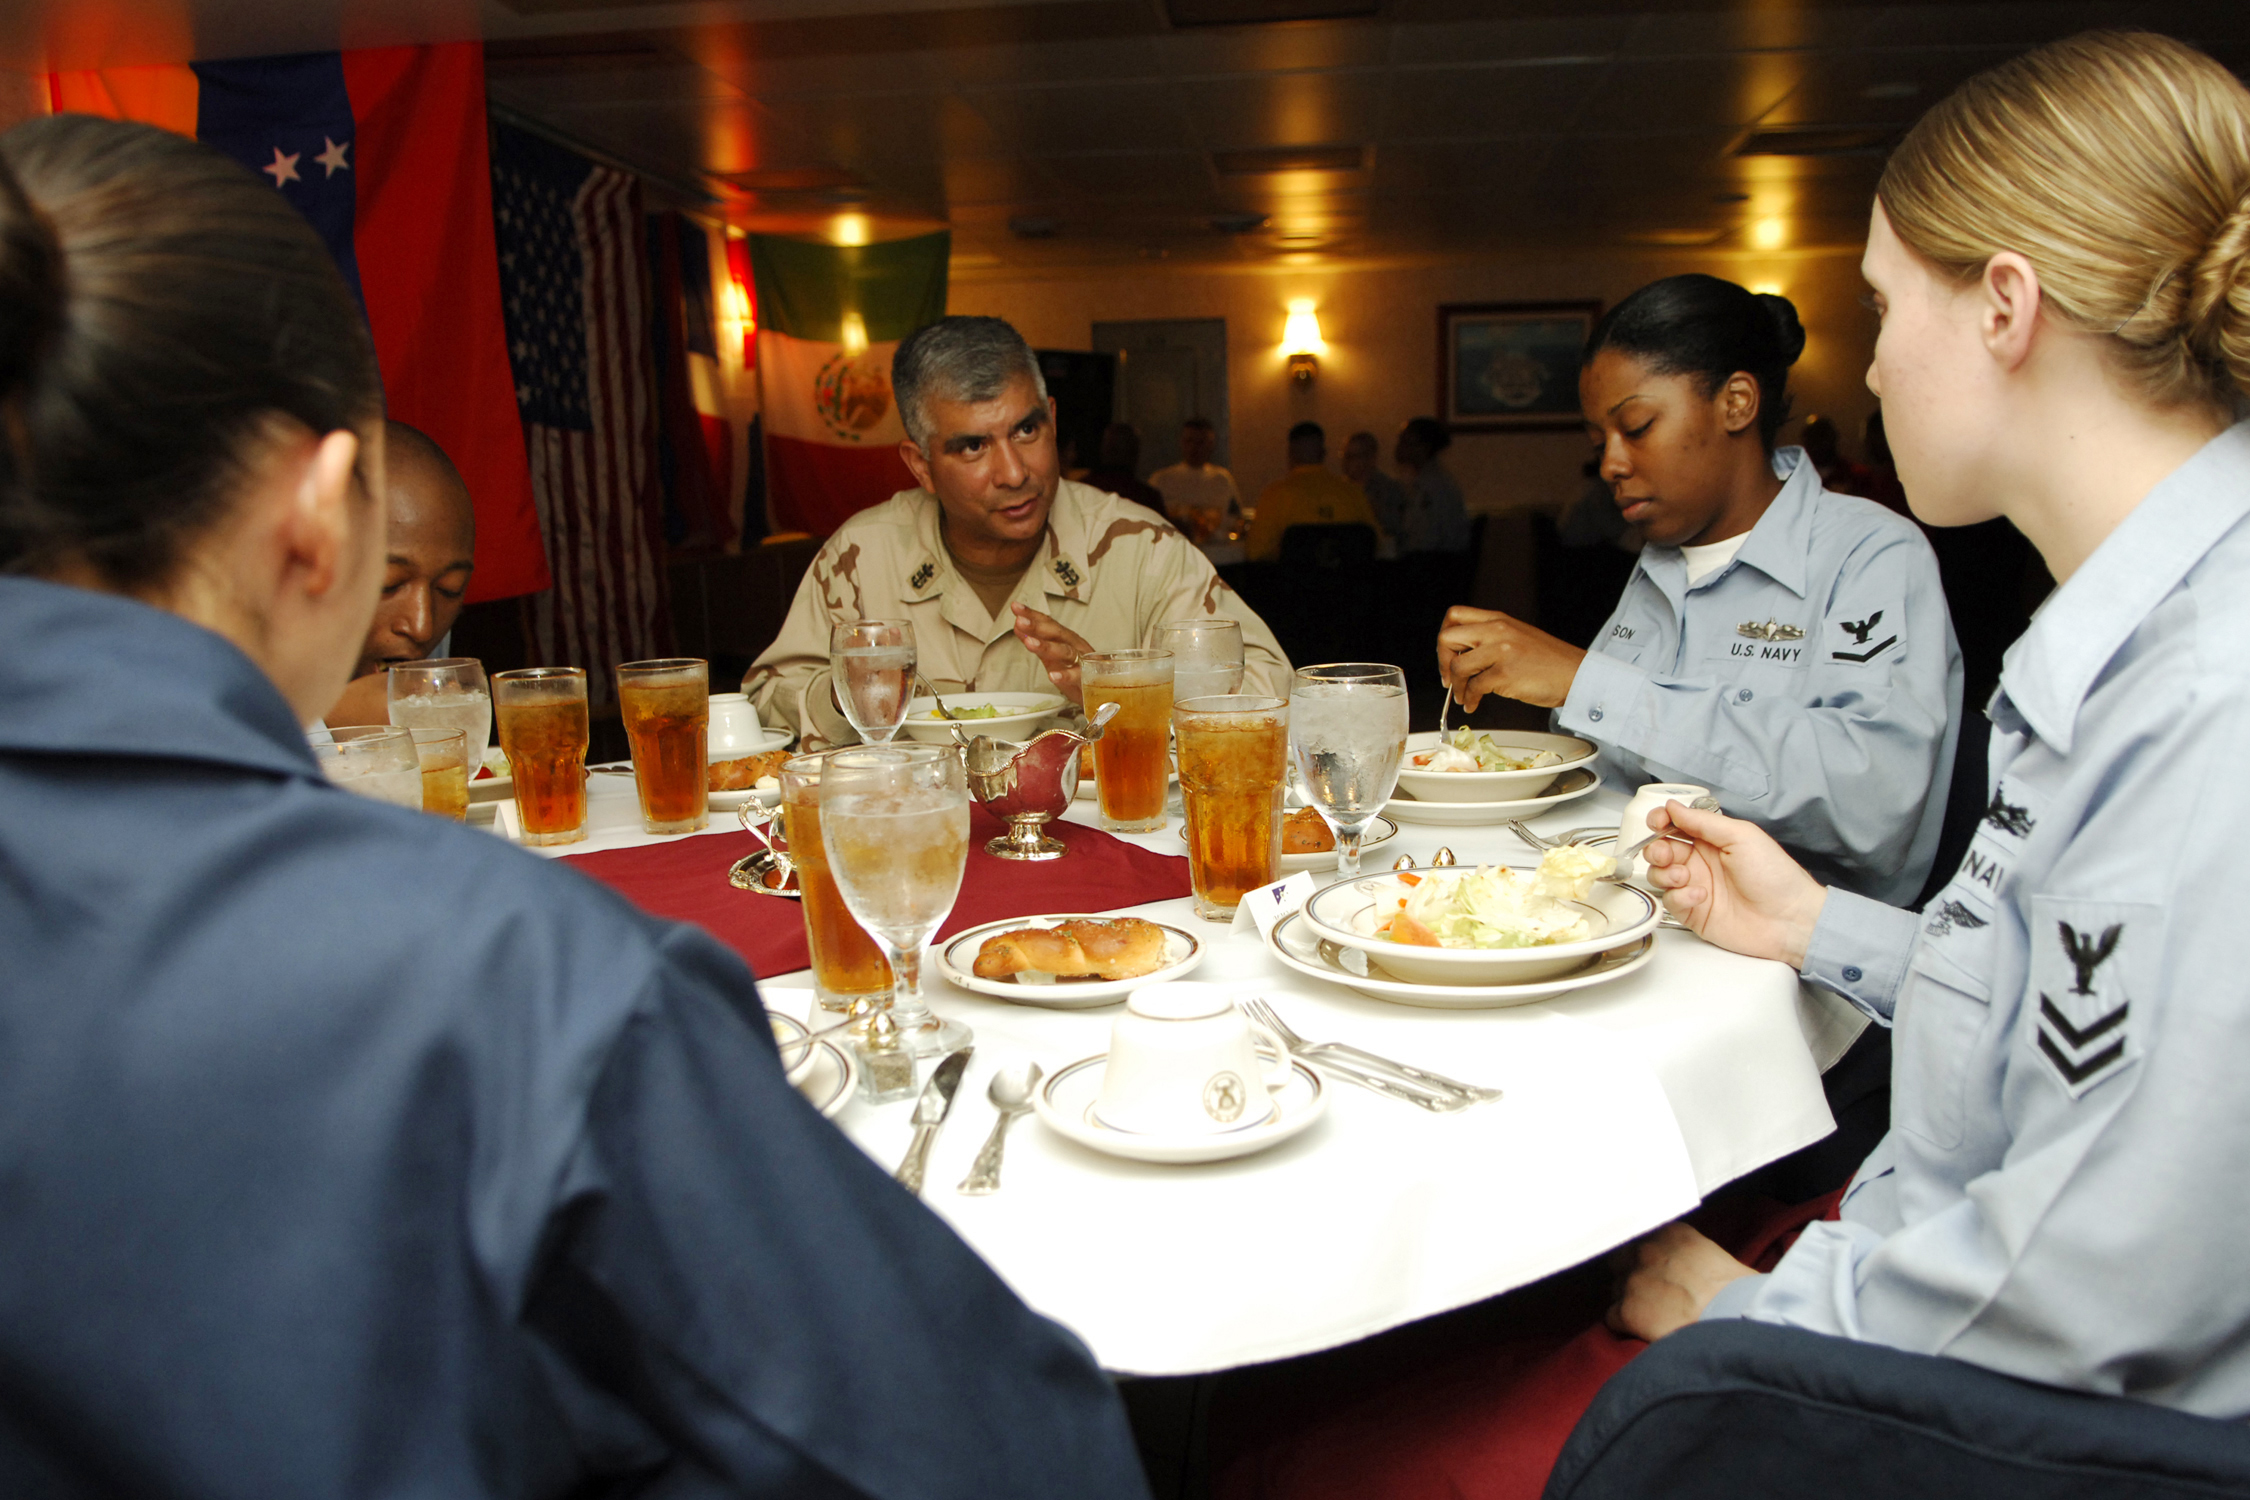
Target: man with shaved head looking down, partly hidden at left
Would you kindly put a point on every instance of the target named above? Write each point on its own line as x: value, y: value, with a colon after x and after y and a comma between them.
x: 431, y: 554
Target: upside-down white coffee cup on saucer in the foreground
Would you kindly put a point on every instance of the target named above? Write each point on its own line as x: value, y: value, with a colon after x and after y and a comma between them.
x: 1187, y: 1063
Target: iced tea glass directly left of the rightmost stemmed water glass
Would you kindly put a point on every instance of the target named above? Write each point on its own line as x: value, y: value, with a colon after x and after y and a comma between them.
x: 1234, y: 768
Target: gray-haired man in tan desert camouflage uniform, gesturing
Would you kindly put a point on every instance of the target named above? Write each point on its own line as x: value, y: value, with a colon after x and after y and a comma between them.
x: 1007, y: 570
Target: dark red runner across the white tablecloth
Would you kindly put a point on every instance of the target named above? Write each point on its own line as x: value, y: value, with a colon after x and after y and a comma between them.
x: 687, y: 883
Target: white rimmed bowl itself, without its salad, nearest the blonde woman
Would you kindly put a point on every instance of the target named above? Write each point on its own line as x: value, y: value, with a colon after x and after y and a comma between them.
x: 1351, y: 910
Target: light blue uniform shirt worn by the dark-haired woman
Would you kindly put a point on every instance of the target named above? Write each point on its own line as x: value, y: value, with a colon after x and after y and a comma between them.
x: 1812, y: 685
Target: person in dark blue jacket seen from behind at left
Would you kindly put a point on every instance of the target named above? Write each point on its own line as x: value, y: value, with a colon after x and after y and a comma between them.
x: 345, y: 1150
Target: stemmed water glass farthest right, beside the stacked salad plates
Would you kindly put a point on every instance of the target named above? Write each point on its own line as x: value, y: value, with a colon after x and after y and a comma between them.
x: 1349, y: 734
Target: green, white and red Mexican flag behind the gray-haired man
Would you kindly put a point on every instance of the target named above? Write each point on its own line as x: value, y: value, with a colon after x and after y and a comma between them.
x: 831, y: 318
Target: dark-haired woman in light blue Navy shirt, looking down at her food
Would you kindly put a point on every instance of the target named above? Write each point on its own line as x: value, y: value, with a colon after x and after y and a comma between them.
x: 1779, y: 644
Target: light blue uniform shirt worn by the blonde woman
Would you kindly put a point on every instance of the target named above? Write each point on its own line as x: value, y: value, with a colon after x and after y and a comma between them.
x: 2062, y: 1191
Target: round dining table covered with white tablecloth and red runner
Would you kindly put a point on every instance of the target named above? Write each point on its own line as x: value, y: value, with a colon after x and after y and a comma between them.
x: 1621, y: 1108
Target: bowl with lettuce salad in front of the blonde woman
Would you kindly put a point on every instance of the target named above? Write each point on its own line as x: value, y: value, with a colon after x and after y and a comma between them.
x: 1491, y: 925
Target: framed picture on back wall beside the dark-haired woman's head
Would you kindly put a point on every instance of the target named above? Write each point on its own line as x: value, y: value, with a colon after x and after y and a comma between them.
x: 1511, y: 365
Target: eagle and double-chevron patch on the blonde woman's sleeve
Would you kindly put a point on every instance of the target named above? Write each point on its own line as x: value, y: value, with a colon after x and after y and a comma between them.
x: 2087, y: 961
